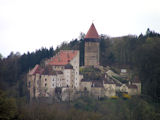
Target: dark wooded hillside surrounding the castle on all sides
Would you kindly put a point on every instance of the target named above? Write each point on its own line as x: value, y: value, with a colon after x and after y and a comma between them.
x: 139, y: 53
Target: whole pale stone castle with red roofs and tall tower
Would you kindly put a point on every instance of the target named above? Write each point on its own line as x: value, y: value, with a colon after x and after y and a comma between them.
x: 60, y: 77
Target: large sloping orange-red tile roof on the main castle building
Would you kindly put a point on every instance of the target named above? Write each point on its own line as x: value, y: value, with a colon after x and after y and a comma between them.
x: 63, y: 57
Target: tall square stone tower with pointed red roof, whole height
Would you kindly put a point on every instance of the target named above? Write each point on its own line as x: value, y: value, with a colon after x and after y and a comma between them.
x: 91, y: 47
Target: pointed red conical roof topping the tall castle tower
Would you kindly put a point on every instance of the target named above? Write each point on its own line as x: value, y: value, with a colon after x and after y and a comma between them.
x: 92, y: 32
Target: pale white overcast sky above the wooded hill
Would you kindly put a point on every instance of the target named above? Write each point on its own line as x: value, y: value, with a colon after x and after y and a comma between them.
x: 27, y: 25
